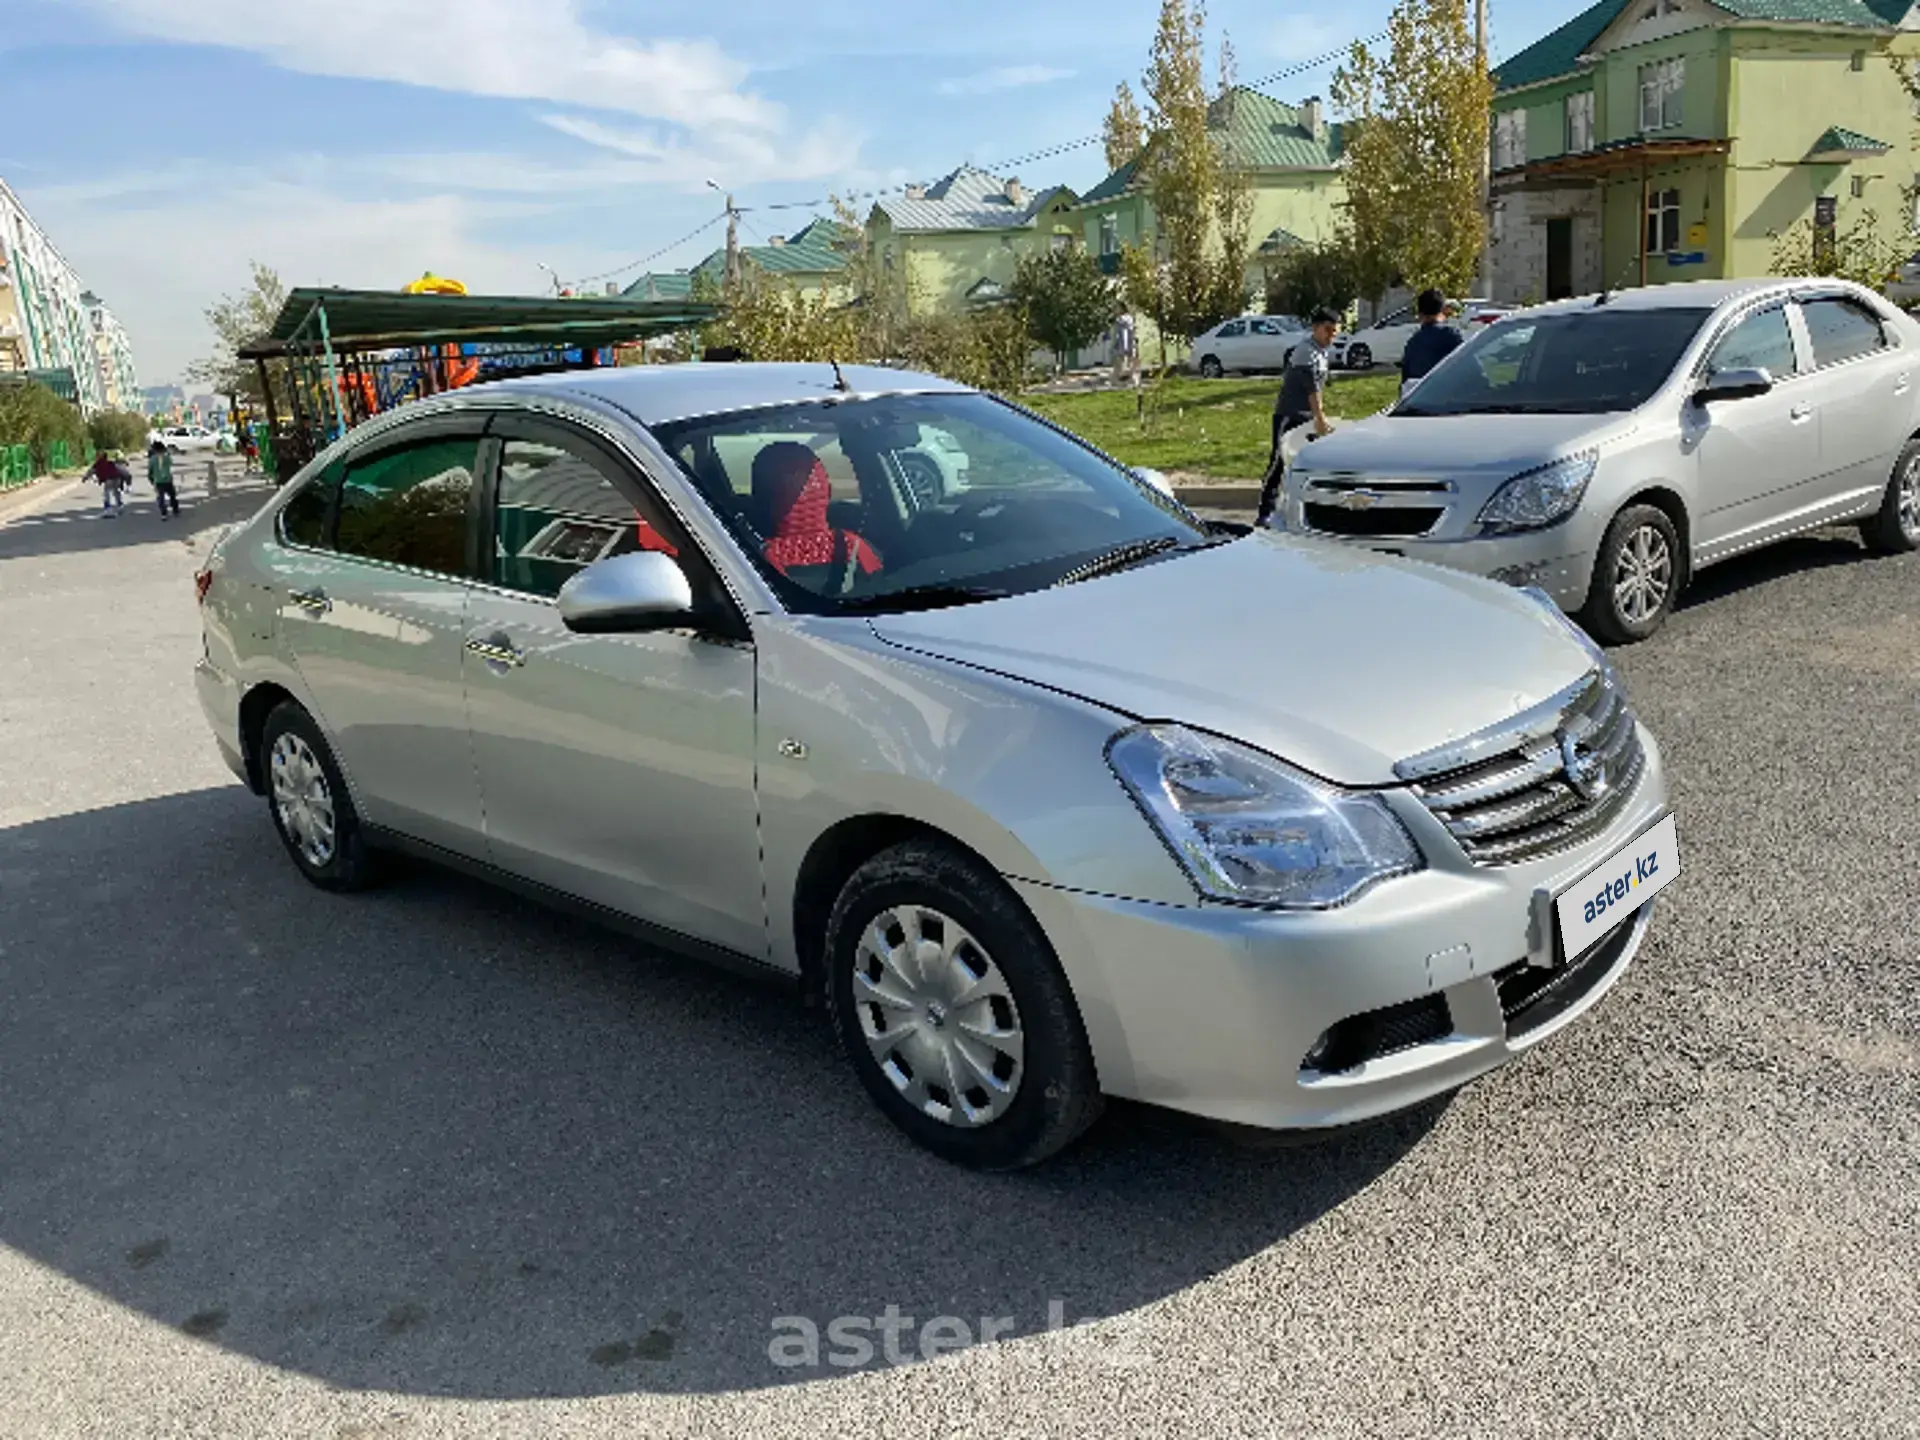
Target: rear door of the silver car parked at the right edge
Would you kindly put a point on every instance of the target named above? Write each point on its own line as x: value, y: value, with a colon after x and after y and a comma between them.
x: 1863, y: 396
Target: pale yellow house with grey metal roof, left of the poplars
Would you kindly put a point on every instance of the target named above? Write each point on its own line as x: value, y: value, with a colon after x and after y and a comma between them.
x: 959, y: 241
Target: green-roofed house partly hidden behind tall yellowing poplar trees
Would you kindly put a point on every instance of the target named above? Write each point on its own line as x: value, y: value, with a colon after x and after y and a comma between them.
x: 1289, y: 156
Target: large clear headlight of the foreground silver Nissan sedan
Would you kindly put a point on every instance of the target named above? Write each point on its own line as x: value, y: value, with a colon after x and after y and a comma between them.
x: 1253, y: 830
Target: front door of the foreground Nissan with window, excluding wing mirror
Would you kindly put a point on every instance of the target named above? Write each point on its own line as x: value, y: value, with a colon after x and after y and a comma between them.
x: 619, y: 769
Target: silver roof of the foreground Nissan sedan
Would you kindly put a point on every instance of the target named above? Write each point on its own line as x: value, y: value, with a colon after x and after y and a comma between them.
x: 660, y: 395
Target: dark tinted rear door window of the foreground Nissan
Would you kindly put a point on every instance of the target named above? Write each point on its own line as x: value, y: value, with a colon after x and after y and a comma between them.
x: 410, y: 506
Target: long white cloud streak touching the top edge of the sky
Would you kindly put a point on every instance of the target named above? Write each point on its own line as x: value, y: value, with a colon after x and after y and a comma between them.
x: 514, y: 49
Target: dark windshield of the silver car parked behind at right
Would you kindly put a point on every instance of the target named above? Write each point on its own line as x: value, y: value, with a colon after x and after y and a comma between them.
x: 1589, y: 362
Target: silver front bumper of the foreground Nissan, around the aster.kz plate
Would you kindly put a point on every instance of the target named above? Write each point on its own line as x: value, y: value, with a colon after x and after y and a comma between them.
x: 1216, y: 1009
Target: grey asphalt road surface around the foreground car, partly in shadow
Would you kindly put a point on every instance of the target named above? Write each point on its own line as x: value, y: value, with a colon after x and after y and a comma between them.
x: 437, y: 1163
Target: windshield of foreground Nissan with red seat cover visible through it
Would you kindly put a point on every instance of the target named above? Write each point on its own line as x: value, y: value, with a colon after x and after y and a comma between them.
x: 903, y: 502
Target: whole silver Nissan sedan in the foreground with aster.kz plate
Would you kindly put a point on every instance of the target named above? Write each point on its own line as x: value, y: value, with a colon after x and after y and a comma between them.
x: 1049, y: 788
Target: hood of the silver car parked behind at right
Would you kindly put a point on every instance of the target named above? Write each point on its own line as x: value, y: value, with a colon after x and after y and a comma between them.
x: 1458, y: 446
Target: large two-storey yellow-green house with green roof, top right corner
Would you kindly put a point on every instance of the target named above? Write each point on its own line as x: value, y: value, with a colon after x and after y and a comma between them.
x: 1652, y: 141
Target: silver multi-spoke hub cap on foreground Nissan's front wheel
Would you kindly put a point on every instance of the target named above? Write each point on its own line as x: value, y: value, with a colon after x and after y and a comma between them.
x: 938, y: 1017
